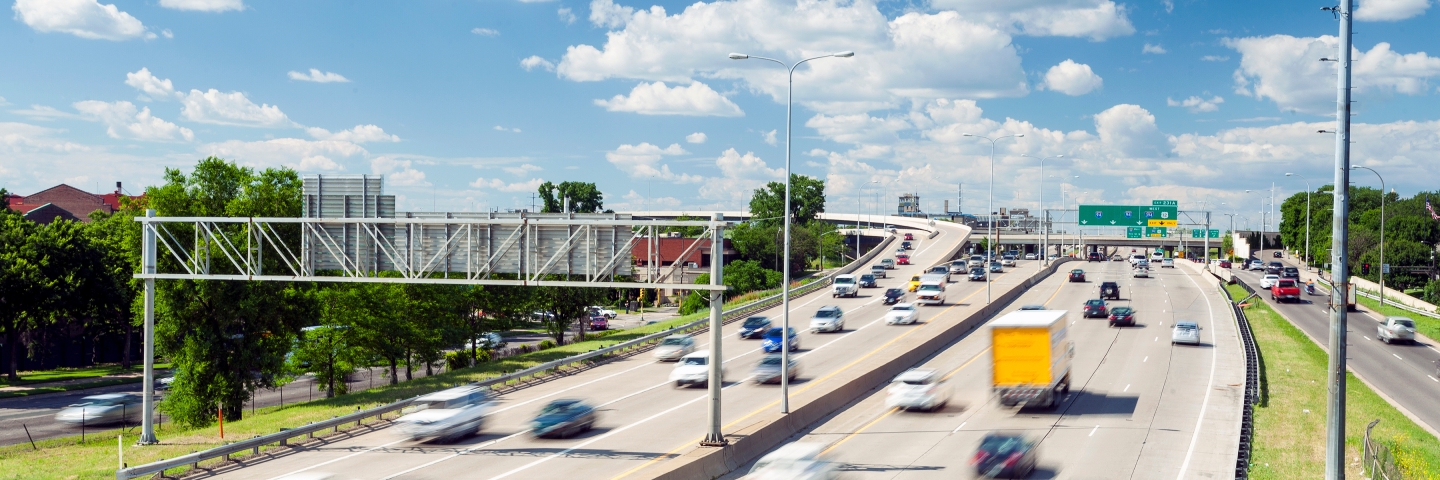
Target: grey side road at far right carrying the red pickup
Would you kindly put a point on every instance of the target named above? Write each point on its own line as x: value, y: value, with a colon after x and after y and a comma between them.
x: 1405, y: 374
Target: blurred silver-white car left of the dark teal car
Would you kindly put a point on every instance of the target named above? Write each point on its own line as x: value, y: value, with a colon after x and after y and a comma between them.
x: 446, y: 416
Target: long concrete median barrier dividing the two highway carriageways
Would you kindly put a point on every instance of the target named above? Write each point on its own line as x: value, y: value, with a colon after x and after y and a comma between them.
x: 771, y: 430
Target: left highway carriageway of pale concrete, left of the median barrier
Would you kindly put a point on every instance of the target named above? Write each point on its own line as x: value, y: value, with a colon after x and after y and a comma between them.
x: 643, y: 416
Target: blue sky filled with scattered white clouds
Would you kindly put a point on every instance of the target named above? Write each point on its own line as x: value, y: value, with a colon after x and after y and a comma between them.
x: 469, y: 106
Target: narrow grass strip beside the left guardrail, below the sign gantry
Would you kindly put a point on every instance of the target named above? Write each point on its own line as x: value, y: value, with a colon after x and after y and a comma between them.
x: 97, y: 458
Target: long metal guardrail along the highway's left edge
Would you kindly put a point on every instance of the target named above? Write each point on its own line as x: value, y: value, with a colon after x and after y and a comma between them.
x: 284, y: 436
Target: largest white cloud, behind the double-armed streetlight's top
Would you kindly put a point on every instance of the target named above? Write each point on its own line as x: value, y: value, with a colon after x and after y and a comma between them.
x: 912, y: 55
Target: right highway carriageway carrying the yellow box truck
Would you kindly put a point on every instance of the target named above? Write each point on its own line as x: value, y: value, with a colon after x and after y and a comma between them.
x: 1140, y: 409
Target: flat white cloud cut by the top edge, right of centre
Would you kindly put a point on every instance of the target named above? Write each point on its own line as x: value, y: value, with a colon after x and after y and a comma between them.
x: 1094, y: 19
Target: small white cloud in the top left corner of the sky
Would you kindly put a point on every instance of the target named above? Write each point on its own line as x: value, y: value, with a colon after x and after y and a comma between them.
x: 87, y: 19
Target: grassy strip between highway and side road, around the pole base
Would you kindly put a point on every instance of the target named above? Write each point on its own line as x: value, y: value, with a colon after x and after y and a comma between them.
x: 1290, y: 435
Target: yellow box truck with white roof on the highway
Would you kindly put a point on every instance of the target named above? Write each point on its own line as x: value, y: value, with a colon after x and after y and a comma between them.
x: 1030, y: 358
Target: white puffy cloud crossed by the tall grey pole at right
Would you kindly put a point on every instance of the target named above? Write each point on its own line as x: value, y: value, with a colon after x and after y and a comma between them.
x: 1287, y: 70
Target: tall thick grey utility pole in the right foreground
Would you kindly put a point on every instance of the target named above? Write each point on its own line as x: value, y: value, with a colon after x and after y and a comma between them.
x: 1340, y: 254
